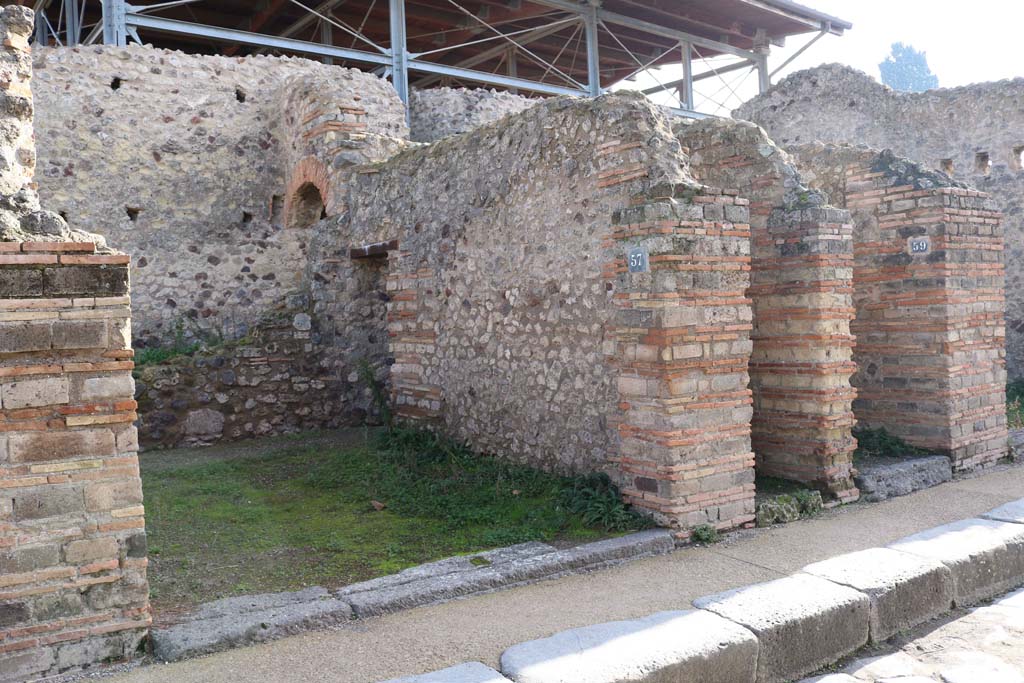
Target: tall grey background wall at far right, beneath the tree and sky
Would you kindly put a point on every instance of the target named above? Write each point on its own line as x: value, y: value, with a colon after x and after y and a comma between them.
x: 972, y: 133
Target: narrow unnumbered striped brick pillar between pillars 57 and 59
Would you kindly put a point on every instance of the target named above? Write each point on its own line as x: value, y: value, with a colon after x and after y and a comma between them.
x: 801, y: 364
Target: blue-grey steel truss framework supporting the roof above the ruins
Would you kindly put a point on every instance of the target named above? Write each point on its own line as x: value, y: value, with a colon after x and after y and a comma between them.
x: 587, y: 23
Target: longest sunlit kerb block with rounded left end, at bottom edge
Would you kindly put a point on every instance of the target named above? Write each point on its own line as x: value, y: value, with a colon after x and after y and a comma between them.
x: 691, y: 646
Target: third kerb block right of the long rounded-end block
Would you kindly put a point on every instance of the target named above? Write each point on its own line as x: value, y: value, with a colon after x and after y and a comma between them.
x: 987, y: 558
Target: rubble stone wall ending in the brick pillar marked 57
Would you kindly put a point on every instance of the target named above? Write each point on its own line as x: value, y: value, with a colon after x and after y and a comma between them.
x: 548, y: 351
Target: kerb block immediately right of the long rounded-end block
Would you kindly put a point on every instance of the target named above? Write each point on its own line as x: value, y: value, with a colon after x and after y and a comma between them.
x: 802, y: 623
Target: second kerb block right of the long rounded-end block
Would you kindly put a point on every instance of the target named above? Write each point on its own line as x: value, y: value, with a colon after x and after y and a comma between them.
x: 905, y: 590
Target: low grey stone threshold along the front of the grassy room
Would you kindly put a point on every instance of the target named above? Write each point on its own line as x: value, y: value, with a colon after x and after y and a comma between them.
x: 236, y: 622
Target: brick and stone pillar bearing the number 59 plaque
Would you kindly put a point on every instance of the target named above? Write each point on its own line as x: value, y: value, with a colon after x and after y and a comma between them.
x: 930, y: 305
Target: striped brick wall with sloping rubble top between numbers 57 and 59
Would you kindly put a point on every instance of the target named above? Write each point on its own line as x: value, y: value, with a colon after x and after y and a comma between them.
x: 802, y: 287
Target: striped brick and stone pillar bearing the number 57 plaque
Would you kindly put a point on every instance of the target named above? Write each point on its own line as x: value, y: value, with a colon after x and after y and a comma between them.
x: 681, y: 345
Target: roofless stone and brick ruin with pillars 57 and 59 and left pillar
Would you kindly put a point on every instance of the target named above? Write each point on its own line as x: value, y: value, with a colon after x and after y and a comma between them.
x: 581, y: 286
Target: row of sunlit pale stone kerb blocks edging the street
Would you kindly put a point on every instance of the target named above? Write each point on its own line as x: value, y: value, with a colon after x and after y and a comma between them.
x: 799, y: 624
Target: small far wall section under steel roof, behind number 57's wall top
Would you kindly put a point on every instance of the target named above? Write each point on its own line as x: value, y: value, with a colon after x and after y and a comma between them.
x: 438, y: 113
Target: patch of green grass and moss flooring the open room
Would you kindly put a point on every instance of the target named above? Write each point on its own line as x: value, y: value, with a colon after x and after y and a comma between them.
x: 334, y: 509
